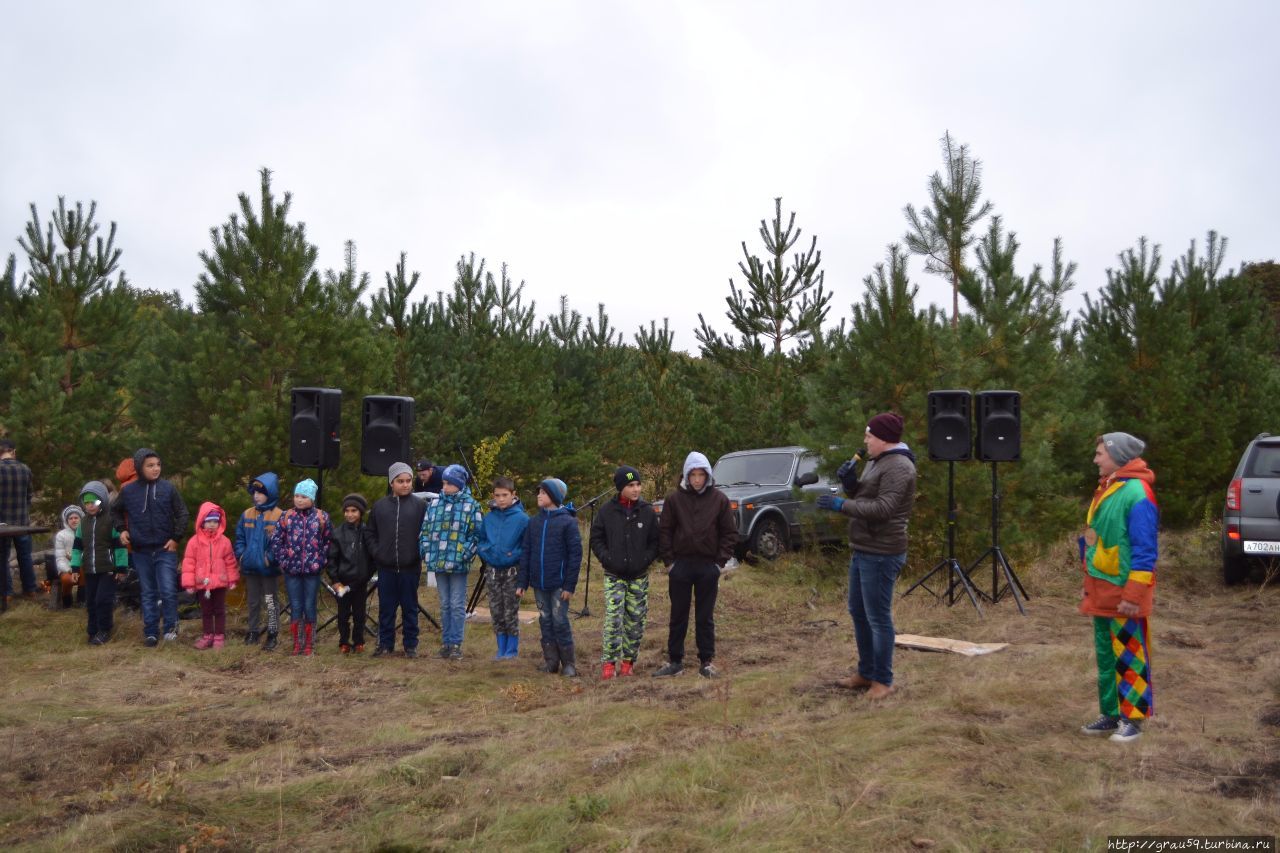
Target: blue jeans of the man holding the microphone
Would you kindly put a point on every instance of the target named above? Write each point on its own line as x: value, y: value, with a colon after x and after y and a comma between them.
x: 871, y: 604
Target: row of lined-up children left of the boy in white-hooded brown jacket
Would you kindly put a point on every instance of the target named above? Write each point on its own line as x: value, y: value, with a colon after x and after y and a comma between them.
x: 404, y: 535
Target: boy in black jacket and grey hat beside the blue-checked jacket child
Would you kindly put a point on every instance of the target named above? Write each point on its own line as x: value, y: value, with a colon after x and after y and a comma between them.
x: 395, y: 524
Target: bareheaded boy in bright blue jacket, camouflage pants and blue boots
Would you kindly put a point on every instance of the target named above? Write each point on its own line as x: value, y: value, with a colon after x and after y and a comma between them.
x: 501, y: 546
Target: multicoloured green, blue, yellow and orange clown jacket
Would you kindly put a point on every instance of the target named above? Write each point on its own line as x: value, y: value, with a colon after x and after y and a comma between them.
x: 1119, y: 548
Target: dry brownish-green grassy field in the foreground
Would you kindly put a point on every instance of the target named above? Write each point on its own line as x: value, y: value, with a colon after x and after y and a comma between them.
x: 129, y: 749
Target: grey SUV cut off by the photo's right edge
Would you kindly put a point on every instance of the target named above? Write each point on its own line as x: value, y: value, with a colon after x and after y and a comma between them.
x: 1251, y: 518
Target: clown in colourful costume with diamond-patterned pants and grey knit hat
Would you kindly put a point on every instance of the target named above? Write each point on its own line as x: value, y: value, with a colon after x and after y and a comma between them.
x: 1119, y: 554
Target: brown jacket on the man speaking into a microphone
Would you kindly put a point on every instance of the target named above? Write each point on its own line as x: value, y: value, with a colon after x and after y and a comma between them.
x: 881, y: 507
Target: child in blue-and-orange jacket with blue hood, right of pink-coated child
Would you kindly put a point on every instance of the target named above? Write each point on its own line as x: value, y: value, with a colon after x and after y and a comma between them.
x: 259, y: 569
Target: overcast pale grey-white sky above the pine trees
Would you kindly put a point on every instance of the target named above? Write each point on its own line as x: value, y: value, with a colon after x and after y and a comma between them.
x: 619, y: 153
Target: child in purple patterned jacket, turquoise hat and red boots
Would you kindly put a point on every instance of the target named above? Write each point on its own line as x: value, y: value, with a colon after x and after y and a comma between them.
x: 300, y: 545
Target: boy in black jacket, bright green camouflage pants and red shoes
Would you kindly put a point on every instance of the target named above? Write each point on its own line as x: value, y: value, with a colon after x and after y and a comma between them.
x: 625, y: 540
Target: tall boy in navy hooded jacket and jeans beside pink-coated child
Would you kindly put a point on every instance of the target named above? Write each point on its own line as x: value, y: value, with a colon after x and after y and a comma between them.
x: 152, y: 517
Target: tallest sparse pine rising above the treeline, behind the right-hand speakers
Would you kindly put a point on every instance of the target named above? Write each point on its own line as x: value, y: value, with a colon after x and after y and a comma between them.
x: 944, y: 231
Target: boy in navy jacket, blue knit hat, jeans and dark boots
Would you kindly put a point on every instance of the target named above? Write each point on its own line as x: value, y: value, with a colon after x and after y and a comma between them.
x: 550, y: 565
